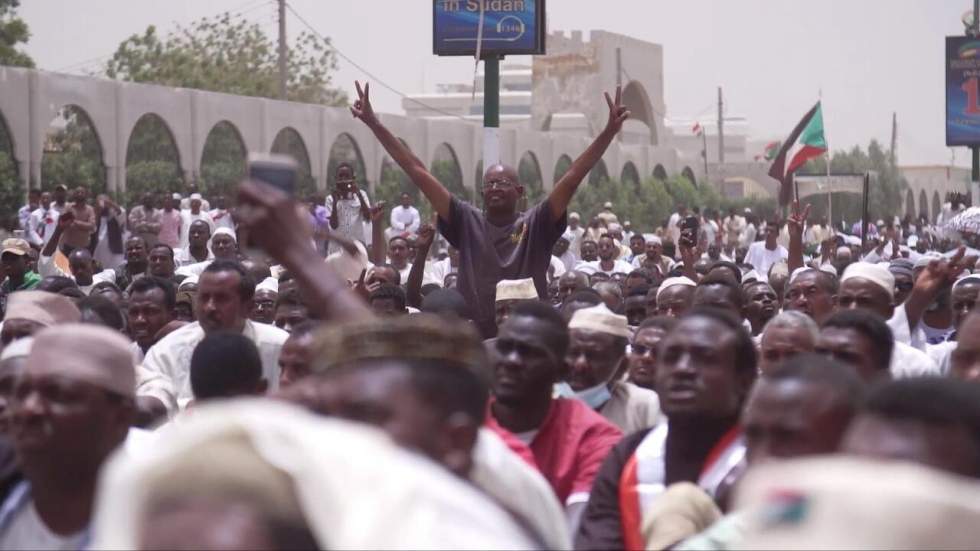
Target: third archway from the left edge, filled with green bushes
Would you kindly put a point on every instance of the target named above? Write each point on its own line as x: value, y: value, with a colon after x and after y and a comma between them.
x: 152, y: 159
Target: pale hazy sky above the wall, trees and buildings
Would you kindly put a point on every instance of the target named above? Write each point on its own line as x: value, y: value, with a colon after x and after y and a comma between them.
x: 869, y: 57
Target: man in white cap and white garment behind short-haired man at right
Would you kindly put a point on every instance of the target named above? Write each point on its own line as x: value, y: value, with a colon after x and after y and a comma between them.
x: 871, y: 287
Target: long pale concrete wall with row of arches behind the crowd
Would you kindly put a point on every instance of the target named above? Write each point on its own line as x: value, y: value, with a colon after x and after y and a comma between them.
x: 30, y: 99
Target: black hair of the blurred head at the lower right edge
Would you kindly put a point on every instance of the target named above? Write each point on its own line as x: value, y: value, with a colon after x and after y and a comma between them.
x: 930, y: 400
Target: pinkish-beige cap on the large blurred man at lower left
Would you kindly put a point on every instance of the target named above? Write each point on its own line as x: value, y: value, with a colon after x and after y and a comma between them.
x: 90, y: 353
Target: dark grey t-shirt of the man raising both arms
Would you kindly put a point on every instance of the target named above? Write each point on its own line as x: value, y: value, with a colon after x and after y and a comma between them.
x: 489, y: 253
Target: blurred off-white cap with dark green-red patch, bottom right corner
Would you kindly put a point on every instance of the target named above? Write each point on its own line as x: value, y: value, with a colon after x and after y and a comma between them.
x: 840, y: 502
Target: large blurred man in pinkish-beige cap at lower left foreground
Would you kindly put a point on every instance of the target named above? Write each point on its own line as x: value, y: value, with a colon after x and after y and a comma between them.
x: 71, y: 407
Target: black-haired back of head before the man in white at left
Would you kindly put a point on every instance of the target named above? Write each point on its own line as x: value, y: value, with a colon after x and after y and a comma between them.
x: 224, y: 364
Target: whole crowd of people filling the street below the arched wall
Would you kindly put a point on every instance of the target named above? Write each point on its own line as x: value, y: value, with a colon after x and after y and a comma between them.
x: 261, y: 372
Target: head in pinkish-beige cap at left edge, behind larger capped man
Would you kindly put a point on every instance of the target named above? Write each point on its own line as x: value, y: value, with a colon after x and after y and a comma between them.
x: 30, y: 311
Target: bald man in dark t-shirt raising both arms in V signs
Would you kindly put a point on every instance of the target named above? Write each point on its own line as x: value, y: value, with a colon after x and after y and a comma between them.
x: 501, y: 244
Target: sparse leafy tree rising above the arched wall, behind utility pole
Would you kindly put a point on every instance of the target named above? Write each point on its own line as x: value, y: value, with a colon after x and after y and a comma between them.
x: 234, y: 56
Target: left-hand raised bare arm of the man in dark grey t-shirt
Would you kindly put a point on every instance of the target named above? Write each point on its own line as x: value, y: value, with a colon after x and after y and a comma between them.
x: 434, y: 191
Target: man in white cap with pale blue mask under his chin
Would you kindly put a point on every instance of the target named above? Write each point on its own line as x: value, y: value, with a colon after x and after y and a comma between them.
x: 595, y: 357
